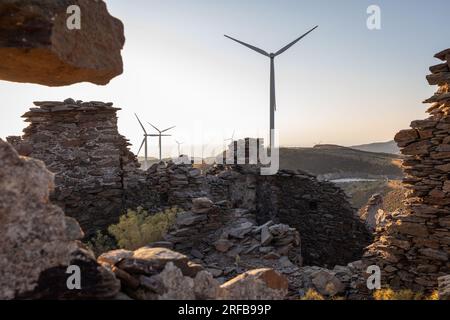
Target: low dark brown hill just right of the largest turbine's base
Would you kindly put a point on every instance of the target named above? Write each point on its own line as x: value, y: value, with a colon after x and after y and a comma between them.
x: 335, y: 162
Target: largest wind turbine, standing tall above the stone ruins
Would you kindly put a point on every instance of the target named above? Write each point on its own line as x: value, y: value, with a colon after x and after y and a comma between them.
x: 273, y: 104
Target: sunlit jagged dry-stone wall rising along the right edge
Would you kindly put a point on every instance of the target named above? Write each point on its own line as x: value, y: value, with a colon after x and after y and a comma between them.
x: 414, y: 248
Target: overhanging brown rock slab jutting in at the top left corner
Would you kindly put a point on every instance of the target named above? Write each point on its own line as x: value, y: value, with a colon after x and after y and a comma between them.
x: 36, y: 45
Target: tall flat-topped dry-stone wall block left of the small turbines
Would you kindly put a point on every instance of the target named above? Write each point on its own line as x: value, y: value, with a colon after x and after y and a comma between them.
x: 80, y: 143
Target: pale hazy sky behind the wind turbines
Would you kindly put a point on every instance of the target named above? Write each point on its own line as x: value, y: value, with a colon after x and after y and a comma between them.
x: 343, y: 84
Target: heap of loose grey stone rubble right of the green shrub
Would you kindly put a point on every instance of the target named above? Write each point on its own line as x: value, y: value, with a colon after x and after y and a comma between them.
x: 229, y: 241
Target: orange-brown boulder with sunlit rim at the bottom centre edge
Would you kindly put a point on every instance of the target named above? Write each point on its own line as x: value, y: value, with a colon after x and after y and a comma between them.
x: 260, y: 284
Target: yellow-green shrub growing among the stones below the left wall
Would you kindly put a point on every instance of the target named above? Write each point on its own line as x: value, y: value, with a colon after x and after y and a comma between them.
x: 138, y: 228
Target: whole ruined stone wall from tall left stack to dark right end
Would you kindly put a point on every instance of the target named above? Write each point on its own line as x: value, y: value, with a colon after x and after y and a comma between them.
x: 97, y: 178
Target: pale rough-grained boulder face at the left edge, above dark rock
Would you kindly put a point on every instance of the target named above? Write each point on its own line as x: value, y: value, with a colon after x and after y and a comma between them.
x: 32, y: 230
